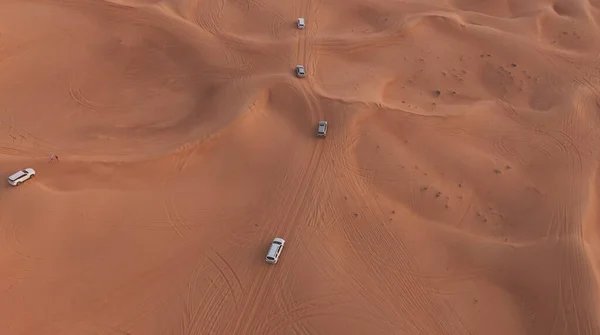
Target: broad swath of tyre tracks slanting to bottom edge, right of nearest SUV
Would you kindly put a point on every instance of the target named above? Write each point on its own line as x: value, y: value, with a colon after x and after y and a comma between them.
x: 401, y: 259
